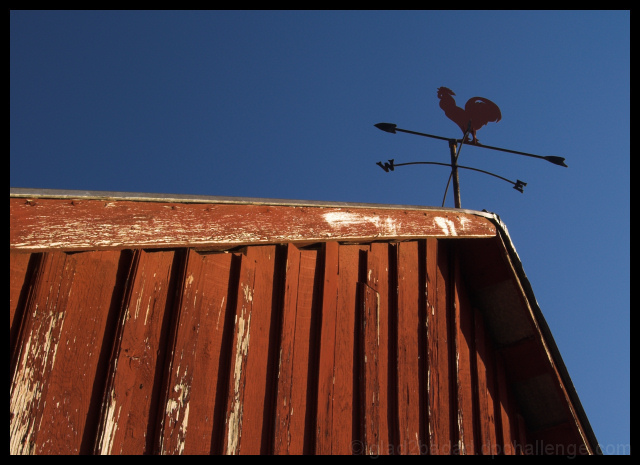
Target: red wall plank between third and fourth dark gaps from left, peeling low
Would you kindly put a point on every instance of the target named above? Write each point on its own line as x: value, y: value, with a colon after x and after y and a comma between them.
x: 190, y: 408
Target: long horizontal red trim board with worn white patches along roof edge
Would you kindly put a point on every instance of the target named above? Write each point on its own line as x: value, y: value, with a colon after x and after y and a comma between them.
x: 42, y: 224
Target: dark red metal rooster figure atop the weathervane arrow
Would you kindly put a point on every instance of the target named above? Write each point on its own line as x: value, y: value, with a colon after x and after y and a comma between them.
x: 478, y: 111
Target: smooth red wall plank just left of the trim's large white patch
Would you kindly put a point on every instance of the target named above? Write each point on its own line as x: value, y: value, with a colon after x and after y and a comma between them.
x: 293, y: 376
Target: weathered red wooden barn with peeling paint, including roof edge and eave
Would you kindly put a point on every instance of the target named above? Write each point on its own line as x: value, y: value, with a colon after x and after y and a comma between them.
x: 157, y: 324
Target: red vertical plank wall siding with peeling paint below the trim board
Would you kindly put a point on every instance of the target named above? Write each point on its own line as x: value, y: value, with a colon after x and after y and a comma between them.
x: 370, y: 348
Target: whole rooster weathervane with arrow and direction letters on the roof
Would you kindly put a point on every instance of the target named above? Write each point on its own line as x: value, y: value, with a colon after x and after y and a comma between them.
x: 477, y: 112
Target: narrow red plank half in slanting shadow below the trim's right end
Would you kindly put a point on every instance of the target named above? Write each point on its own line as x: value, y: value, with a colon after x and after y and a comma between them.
x: 464, y: 364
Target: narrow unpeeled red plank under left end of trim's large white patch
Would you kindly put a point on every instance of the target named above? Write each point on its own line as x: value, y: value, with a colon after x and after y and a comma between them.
x: 324, y: 422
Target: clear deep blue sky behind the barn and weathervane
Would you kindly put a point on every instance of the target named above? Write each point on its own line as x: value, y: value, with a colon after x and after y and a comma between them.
x: 282, y: 105
